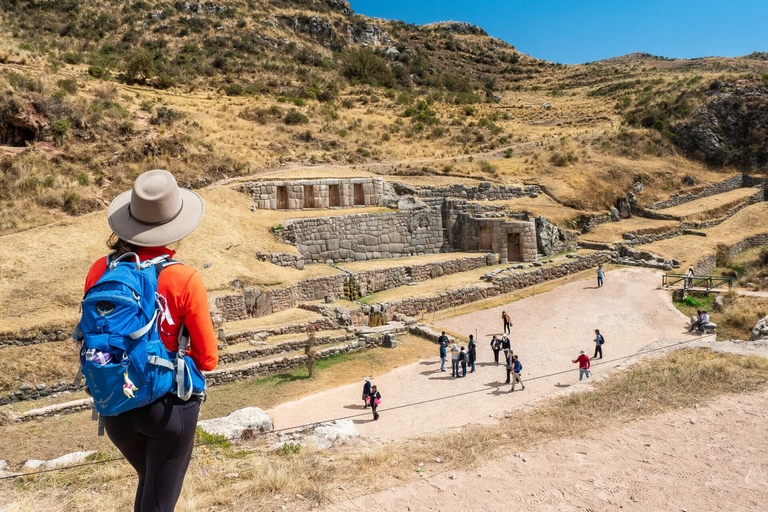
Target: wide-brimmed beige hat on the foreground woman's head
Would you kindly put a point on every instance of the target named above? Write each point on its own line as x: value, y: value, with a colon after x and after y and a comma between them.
x: 156, y: 212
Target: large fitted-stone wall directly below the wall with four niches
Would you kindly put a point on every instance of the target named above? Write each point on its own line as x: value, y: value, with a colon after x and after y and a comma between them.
x: 367, y: 236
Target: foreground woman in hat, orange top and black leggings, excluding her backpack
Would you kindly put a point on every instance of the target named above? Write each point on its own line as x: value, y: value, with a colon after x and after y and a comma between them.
x: 157, y: 439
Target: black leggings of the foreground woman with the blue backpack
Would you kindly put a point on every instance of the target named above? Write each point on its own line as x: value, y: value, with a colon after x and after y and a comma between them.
x: 157, y: 440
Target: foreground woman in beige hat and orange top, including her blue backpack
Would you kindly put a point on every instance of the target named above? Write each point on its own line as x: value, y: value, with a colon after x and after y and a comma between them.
x: 146, y: 334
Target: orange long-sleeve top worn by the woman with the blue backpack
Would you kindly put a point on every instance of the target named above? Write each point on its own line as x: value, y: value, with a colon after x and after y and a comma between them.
x: 187, y: 299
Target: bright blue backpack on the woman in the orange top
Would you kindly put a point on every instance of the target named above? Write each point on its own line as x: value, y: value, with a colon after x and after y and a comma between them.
x: 122, y: 357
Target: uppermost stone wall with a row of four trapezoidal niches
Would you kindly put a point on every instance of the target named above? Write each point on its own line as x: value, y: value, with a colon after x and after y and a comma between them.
x: 334, y: 193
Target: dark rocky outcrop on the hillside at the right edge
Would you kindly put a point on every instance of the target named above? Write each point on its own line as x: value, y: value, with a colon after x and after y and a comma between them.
x: 731, y: 130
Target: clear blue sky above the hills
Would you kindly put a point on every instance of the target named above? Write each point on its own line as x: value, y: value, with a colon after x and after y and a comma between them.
x: 571, y: 32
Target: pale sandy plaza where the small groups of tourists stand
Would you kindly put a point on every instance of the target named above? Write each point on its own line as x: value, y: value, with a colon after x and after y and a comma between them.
x: 549, y: 330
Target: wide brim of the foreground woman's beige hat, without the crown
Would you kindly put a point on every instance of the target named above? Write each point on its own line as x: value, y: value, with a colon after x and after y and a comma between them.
x: 134, y: 232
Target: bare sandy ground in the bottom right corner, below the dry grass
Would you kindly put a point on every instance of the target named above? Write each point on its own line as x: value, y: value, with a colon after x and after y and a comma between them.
x: 690, y: 460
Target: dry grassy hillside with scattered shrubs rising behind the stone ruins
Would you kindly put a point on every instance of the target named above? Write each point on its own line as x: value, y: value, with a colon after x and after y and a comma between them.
x: 234, y: 88
